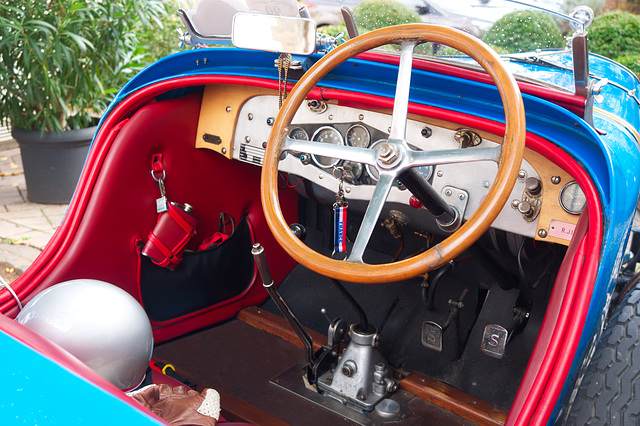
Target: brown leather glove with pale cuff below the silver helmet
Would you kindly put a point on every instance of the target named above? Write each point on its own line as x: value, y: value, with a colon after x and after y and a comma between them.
x: 180, y: 406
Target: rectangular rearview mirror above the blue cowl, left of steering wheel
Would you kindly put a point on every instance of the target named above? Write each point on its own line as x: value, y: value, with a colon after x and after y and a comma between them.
x: 274, y: 33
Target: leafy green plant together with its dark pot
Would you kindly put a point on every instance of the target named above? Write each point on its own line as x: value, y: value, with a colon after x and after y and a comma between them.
x: 61, y: 61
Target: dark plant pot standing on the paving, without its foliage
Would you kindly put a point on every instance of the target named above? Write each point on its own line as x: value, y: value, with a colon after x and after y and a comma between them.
x: 52, y: 162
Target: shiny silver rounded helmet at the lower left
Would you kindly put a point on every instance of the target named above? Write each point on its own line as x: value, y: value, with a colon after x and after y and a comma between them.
x: 99, y: 323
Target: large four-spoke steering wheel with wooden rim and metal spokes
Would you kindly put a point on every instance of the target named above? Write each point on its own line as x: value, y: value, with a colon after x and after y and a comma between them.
x: 508, y: 156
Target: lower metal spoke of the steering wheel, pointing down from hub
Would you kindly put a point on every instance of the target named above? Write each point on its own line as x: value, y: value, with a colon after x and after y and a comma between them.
x: 371, y: 216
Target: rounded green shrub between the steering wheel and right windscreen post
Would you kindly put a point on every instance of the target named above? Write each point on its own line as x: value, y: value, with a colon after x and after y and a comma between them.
x: 523, y: 31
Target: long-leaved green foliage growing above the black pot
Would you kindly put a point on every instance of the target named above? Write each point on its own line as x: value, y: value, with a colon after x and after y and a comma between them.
x: 60, y: 61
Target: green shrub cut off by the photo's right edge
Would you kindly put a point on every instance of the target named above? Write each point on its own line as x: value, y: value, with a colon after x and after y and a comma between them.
x: 615, y: 35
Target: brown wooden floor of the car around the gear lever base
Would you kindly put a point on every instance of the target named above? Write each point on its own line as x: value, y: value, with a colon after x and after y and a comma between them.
x: 242, y: 357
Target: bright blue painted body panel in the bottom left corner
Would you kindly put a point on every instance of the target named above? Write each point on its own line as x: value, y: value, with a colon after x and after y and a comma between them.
x: 37, y: 391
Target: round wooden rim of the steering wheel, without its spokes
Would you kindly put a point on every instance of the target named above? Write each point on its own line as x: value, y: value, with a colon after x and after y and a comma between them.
x: 509, y: 161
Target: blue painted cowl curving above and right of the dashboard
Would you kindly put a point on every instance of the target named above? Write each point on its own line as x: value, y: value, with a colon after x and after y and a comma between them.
x: 612, y: 159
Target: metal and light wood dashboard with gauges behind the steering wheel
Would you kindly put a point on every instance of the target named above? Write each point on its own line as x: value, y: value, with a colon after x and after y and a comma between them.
x: 544, y: 203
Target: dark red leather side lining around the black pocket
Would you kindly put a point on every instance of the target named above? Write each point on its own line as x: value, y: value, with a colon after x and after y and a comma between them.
x: 120, y: 210
